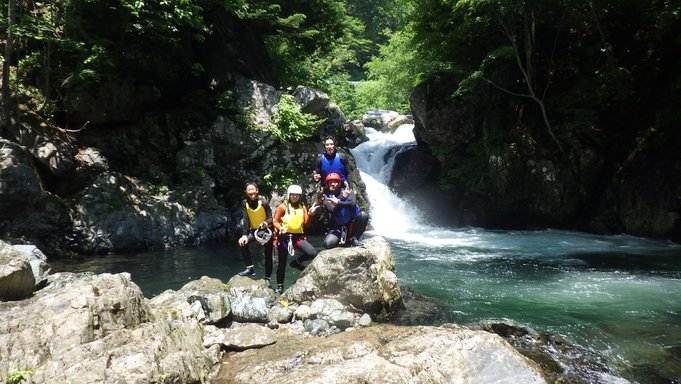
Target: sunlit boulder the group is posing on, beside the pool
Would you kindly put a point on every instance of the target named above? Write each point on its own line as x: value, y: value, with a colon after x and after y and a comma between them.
x: 362, y: 278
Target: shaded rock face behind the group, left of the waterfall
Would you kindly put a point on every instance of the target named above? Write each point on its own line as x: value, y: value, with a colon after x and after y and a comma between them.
x: 167, y: 179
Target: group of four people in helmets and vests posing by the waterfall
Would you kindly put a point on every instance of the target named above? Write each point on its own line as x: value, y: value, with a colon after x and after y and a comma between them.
x: 286, y: 229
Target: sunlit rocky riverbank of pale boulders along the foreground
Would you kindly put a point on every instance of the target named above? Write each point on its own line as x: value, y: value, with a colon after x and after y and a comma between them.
x: 327, y: 327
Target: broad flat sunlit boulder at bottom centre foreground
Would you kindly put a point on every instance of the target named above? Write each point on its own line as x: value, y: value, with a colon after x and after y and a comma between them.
x: 385, y: 354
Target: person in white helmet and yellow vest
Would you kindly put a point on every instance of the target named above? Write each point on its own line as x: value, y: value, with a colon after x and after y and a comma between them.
x: 290, y: 220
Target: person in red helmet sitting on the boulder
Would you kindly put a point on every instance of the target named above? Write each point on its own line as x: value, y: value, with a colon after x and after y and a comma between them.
x: 347, y: 220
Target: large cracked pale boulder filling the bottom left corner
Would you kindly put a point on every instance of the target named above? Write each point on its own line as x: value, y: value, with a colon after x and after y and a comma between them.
x: 96, y: 329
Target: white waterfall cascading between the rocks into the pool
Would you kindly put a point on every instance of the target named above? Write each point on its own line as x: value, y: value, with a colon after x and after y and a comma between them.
x: 390, y: 216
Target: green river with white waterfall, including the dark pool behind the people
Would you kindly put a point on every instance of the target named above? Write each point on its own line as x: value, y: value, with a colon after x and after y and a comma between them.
x: 615, y: 296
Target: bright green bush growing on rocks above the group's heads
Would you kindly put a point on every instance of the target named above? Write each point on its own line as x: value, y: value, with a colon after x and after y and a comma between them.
x: 290, y: 124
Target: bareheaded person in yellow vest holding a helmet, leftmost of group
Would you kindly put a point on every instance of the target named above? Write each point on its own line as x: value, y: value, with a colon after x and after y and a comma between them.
x: 255, y: 222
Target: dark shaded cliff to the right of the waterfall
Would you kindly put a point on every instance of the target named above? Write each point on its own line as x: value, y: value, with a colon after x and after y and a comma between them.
x: 499, y: 169
